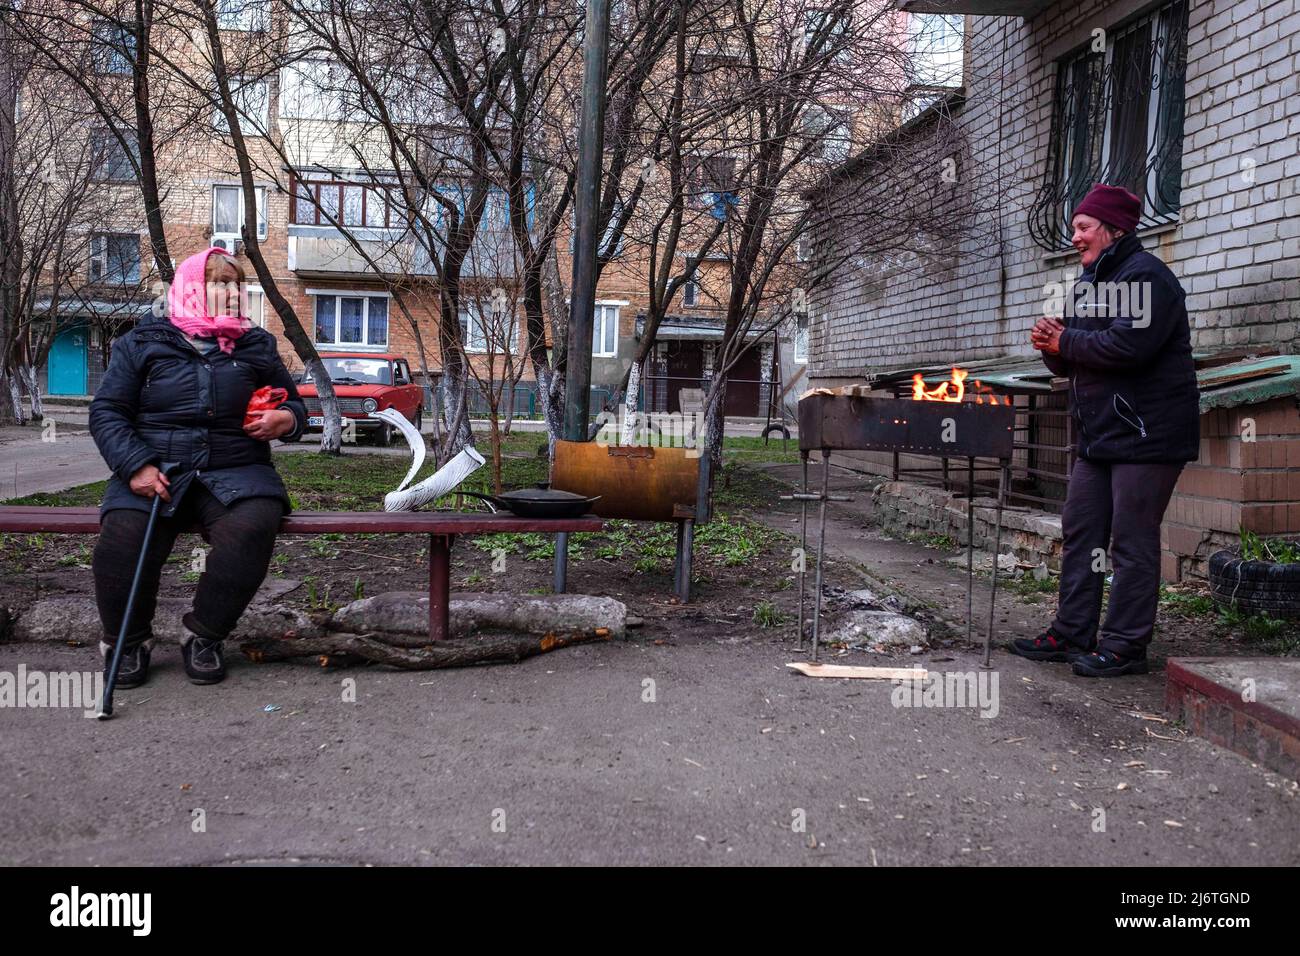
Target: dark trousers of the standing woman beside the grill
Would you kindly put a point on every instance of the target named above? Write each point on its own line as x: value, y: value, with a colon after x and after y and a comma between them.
x: 1113, y: 512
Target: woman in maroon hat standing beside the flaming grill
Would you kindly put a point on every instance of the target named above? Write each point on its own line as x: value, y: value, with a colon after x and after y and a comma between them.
x: 1126, y: 349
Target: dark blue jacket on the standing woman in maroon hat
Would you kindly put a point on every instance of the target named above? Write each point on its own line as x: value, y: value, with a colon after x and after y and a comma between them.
x: 1133, y: 383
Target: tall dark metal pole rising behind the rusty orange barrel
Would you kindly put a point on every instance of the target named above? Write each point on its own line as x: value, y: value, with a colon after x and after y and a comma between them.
x: 587, y: 201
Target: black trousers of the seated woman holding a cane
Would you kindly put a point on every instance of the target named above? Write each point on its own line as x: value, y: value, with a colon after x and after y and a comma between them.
x: 242, y: 539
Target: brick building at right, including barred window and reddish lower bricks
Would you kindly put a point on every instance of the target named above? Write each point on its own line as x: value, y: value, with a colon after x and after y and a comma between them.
x: 1194, y: 106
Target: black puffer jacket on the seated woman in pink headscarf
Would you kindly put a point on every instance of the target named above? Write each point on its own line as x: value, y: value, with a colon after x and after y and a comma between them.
x: 163, y: 401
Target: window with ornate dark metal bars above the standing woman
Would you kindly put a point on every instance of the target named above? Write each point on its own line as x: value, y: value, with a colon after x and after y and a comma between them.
x: 1119, y: 119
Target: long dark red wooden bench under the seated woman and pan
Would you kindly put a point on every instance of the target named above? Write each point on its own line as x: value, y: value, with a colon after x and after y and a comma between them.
x: 443, y: 529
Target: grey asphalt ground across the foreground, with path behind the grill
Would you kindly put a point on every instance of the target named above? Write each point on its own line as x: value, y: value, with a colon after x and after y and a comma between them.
x: 565, y: 754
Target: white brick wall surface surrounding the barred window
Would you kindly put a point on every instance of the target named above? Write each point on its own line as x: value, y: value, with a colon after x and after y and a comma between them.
x: 1237, y: 249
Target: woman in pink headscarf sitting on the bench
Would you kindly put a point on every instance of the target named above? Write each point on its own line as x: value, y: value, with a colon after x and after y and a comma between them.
x: 177, y: 390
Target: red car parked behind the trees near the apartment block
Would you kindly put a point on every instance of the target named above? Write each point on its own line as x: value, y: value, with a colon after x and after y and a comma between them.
x: 366, y: 383
